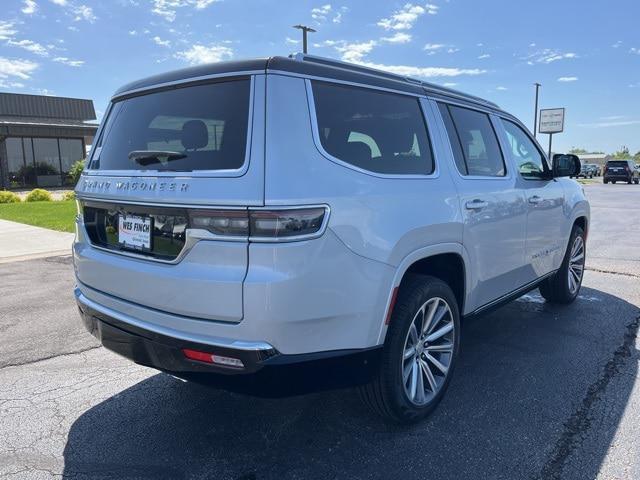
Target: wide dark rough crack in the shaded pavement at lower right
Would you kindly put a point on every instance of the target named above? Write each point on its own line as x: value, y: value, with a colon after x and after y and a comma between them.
x: 580, y: 421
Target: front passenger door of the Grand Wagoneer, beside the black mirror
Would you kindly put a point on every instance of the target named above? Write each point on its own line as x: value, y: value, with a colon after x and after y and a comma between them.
x: 545, y: 245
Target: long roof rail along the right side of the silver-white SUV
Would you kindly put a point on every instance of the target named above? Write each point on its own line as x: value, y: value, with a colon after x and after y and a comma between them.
x: 430, y: 87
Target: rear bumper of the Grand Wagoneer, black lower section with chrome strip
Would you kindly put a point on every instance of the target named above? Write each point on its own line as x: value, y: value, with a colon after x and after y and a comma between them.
x: 265, y: 371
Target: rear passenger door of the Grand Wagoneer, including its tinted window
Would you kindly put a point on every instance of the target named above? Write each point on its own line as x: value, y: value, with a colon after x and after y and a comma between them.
x: 493, y: 208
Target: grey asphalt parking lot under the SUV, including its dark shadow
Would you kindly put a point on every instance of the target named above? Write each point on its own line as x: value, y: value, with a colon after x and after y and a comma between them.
x: 540, y: 392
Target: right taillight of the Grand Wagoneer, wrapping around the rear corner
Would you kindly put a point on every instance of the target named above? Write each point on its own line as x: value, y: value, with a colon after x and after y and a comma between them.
x: 266, y: 225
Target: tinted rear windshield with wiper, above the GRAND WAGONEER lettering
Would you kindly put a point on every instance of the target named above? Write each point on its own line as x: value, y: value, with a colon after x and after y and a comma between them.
x: 201, y: 127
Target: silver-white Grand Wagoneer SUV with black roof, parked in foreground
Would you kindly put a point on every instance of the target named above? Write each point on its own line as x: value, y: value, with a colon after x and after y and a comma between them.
x: 287, y: 224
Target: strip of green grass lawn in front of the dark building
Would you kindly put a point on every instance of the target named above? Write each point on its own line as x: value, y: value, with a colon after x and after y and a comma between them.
x: 54, y: 215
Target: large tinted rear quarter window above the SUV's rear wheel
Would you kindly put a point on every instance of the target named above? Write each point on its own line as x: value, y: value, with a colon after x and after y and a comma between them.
x: 377, y: 131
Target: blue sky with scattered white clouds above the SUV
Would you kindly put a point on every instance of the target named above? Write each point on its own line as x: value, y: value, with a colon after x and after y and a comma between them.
x: 585, y: 53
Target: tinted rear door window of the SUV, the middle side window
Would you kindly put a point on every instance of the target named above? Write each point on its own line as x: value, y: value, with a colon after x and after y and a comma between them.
x: 476, y: 141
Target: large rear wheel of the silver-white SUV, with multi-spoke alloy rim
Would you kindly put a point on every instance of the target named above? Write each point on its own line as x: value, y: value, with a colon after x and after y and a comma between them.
x: 389, y: 394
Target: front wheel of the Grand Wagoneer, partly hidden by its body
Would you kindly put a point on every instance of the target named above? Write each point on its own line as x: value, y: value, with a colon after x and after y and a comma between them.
x: 560, y: 288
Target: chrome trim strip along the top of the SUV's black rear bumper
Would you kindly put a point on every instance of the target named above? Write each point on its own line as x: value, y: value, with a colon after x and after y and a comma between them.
x: 212, y: 341
